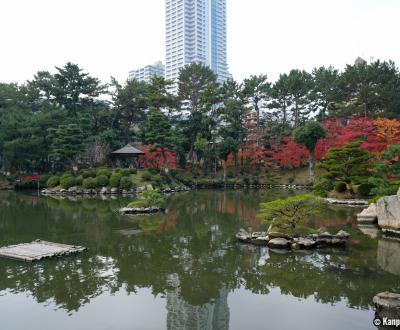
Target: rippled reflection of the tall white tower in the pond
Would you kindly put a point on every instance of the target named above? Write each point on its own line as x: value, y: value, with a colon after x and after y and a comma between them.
x: 182, y: 315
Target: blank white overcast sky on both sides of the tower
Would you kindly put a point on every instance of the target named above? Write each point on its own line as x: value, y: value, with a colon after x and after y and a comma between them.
x: 109, y: 38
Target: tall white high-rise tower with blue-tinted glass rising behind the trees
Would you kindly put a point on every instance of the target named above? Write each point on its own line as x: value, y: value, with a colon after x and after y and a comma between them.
x: 196, y: 33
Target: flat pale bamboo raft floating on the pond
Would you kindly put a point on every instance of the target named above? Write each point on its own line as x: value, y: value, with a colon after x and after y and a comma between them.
x: 38, y: 250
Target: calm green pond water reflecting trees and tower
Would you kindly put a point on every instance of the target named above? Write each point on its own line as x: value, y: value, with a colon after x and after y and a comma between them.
x: 184, y: 269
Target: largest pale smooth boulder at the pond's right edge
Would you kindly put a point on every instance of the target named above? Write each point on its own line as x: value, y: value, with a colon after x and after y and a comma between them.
x: 388, y: 211
